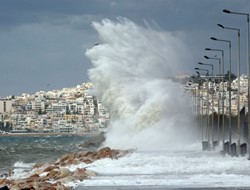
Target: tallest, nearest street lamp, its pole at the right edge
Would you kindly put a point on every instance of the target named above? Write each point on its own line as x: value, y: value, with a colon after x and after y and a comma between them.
x: 248, y: 66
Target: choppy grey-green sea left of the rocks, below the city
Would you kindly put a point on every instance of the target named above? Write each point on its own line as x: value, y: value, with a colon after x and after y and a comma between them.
x: 16, y: 151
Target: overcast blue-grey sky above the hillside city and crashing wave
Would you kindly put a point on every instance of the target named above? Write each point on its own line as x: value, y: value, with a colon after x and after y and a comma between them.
x: 42, y: 42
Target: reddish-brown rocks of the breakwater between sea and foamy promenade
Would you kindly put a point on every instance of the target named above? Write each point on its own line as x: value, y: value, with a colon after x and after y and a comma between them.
x: 59, y: 175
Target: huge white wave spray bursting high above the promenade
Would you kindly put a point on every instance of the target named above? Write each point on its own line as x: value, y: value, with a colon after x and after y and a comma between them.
x: 131, y: 70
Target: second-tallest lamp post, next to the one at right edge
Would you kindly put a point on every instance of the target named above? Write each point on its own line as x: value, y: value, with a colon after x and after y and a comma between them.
x: 238, y: 73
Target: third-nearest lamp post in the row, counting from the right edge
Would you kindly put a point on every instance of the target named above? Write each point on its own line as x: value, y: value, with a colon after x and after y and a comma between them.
x: 229, y: 87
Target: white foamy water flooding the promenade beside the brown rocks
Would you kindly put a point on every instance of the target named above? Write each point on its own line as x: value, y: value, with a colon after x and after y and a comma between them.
x: 189, y: 167
